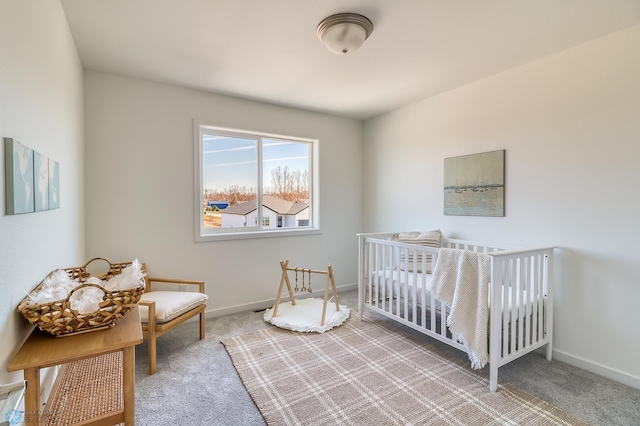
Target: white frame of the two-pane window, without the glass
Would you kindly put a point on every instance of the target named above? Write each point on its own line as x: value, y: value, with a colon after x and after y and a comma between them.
x: 202, y: 235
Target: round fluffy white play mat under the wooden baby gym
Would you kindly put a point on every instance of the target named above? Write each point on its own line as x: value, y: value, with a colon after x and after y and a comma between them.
x: 306, y: 315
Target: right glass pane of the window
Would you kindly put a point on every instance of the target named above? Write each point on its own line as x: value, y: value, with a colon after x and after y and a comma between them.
x: 285, y: 183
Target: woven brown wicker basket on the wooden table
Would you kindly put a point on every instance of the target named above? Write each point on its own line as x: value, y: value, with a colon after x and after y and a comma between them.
x: 59, y: 319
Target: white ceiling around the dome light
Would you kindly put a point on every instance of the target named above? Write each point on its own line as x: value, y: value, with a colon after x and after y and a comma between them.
x: 268, y: 49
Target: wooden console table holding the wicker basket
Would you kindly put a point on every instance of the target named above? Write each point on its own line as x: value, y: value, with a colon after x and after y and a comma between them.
x: 43, y: 350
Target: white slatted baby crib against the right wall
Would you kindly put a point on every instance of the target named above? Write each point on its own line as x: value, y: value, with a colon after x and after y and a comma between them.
x: 520, y: 290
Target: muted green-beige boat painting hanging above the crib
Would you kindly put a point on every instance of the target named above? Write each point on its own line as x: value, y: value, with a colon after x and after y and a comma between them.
x: 474, y: 184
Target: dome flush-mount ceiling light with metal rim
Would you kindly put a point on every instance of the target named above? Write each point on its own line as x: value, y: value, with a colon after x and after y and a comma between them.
x: 343, y: 33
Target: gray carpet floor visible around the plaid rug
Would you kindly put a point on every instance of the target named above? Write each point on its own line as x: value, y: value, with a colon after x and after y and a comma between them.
x: 196, y: 383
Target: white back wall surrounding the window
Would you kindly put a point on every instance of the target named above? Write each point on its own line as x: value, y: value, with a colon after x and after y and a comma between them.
x: 140, y: 198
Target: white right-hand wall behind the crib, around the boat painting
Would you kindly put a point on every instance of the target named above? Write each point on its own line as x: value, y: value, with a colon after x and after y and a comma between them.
x: 571, y: 130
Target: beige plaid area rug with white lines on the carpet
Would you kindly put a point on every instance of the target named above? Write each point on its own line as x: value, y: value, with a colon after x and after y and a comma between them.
x: 370, y: 373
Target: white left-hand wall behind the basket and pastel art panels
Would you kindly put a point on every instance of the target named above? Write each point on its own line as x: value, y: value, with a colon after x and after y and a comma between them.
x: 40, y: 106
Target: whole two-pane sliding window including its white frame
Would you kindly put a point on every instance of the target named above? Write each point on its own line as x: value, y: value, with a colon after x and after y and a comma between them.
x: 250, y: 184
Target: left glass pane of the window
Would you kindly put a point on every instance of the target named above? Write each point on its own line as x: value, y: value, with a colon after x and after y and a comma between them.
x: 229, y: 181
